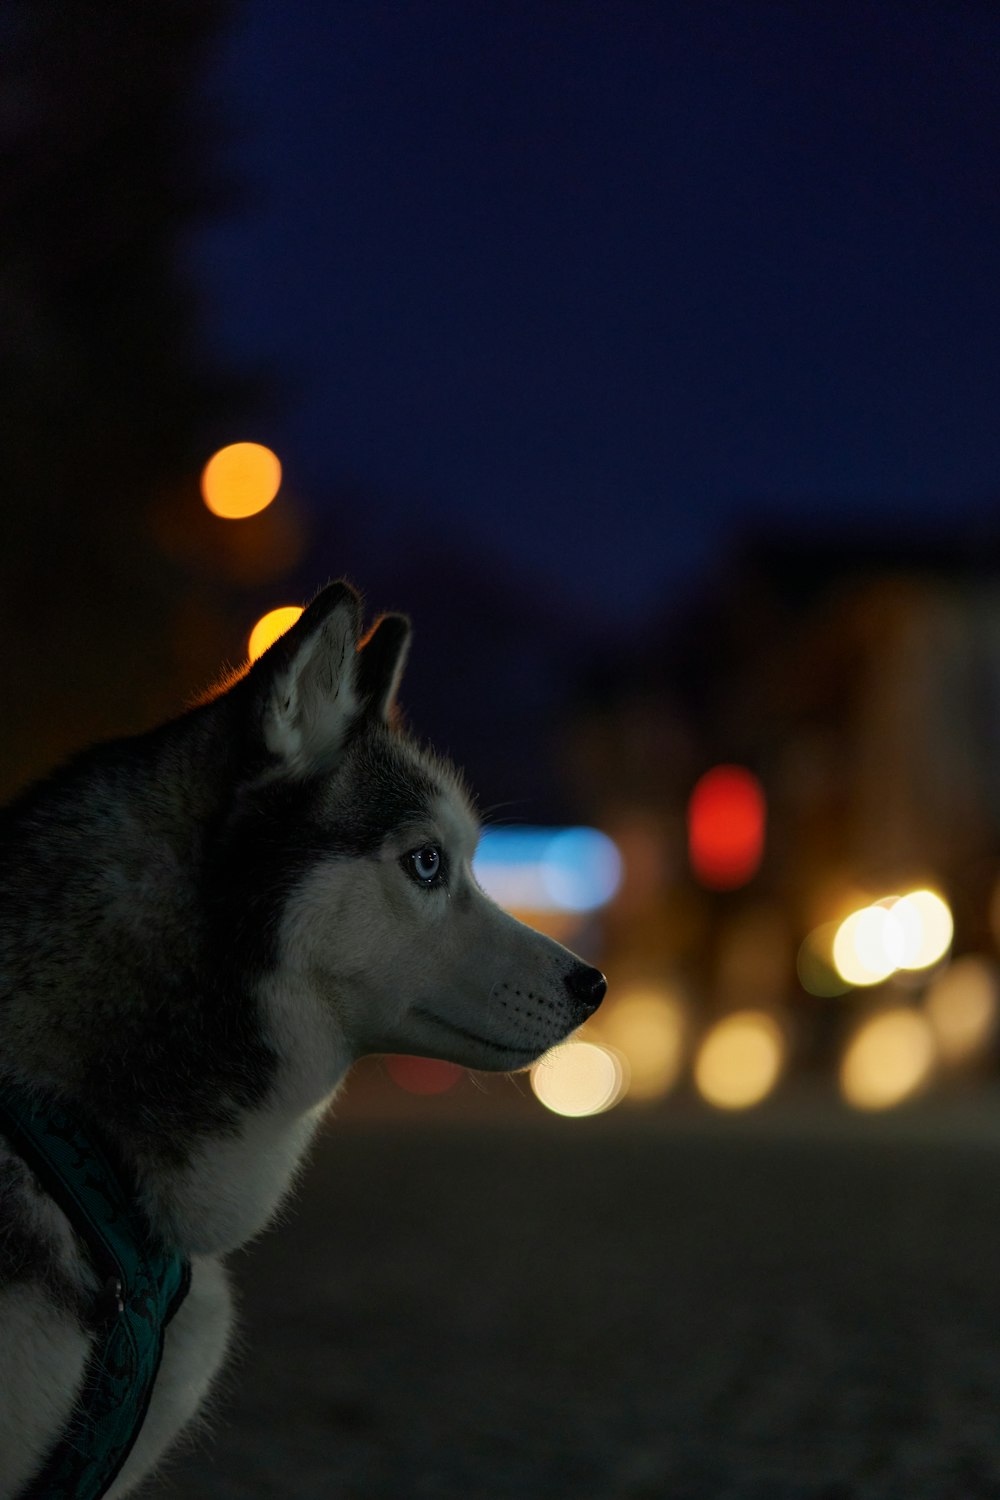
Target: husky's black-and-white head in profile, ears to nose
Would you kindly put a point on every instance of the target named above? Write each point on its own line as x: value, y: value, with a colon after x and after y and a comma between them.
x: 355, y: 851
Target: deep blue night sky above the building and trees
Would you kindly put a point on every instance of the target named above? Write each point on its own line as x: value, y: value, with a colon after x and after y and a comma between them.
x: 599, y: 284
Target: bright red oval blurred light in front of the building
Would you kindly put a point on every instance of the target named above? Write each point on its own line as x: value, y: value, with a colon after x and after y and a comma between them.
x: 726, y: 827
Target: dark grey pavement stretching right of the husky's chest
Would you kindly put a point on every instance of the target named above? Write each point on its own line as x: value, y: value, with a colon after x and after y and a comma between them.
x: 623, y: 1309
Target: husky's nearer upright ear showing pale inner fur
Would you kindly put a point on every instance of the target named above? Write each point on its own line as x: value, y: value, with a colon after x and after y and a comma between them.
x: 310, y: 683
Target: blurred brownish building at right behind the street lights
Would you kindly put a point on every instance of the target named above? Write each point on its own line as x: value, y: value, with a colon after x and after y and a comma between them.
x: 860, y: 682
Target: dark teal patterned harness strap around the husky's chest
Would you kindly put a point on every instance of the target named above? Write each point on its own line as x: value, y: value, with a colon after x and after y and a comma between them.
x: 145, y: 1283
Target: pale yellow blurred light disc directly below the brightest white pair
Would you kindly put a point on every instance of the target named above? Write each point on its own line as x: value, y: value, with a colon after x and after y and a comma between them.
x: 888, y: 1060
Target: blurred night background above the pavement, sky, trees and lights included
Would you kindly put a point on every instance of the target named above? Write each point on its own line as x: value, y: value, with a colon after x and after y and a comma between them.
x: 650, y: 359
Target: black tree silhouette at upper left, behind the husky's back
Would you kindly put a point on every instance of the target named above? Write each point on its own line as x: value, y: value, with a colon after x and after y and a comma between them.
x: 107, y: 406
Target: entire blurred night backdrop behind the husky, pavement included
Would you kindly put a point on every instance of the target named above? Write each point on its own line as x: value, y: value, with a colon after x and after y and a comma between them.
x: 648, y: 356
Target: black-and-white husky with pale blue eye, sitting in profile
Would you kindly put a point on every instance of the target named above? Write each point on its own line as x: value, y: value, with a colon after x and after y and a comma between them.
x: 200, y: 931
